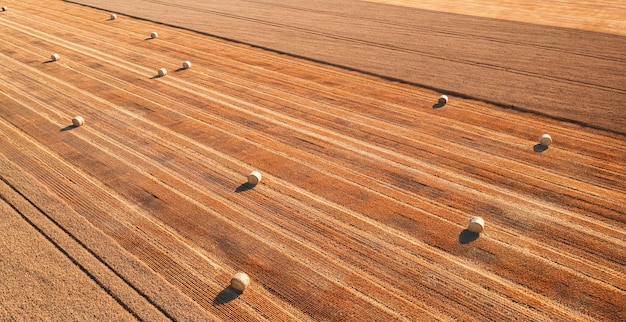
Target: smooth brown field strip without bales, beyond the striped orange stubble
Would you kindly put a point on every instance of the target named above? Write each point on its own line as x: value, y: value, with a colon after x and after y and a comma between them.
x: 568, y: 74
